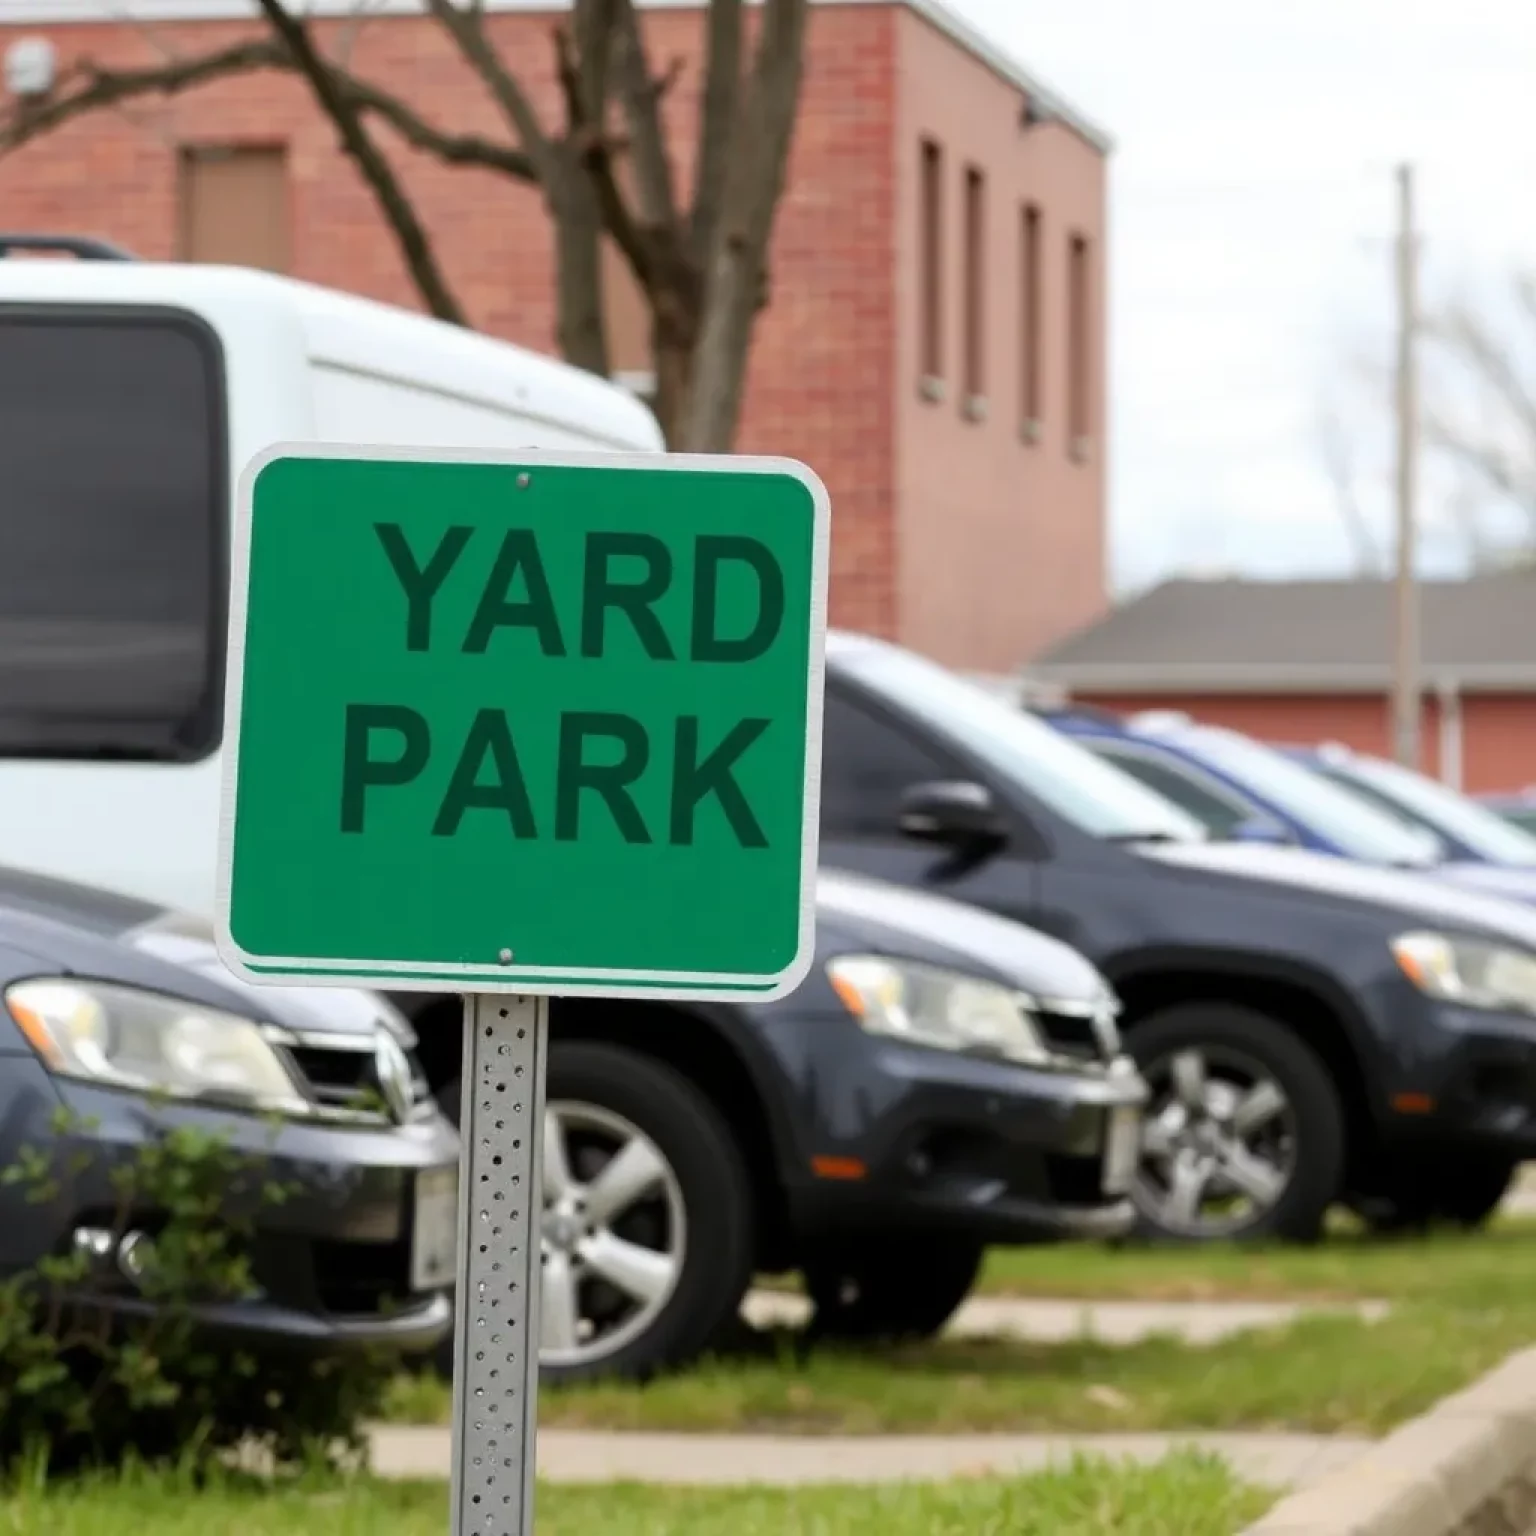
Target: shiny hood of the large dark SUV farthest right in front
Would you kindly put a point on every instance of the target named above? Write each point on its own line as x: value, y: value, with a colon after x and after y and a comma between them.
x: 1418, y: 898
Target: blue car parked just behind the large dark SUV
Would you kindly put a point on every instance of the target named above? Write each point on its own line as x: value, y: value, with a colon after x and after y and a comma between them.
x: 1242, y: 790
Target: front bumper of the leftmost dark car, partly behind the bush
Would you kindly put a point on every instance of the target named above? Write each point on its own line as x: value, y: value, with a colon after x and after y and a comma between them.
x: 339, y: 1263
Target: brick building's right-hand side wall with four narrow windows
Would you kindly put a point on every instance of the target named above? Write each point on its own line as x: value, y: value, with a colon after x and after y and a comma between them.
x: 1002, y: 541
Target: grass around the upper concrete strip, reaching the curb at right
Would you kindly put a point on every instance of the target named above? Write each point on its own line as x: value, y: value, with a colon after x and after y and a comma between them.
x: 1458, y: 1308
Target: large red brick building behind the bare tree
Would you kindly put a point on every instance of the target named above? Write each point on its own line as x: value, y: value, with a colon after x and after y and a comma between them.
x: 936, y: 337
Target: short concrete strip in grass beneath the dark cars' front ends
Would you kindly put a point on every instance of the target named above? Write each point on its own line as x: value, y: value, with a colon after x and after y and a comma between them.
x: 1059, y: 1322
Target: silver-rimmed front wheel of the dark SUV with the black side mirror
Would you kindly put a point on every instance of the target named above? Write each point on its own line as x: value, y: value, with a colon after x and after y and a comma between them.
x: 1288, y: 1167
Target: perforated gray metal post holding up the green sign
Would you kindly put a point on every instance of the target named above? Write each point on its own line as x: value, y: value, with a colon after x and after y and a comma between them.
x: 497, y: 1323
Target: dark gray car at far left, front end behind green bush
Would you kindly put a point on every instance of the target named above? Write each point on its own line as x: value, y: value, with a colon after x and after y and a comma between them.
x: 121, y: 1021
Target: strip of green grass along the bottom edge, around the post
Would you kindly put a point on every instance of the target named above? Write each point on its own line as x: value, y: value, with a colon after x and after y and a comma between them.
x: 1187, y: 1495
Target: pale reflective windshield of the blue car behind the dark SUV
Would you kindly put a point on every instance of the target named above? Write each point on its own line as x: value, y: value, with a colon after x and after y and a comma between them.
x: 1313, y: 801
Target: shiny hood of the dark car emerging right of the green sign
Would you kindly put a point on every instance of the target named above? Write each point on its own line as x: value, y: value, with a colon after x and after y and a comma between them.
x: 859, y: 915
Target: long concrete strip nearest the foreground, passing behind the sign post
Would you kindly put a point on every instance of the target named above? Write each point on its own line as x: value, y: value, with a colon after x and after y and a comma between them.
x: 1282, y: 1462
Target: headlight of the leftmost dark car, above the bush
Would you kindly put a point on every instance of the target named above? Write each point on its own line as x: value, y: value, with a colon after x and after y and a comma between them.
x: 122, y: 1038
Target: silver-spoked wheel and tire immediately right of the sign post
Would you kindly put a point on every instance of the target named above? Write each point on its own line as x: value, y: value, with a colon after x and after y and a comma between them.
x: 647, y: 1217
